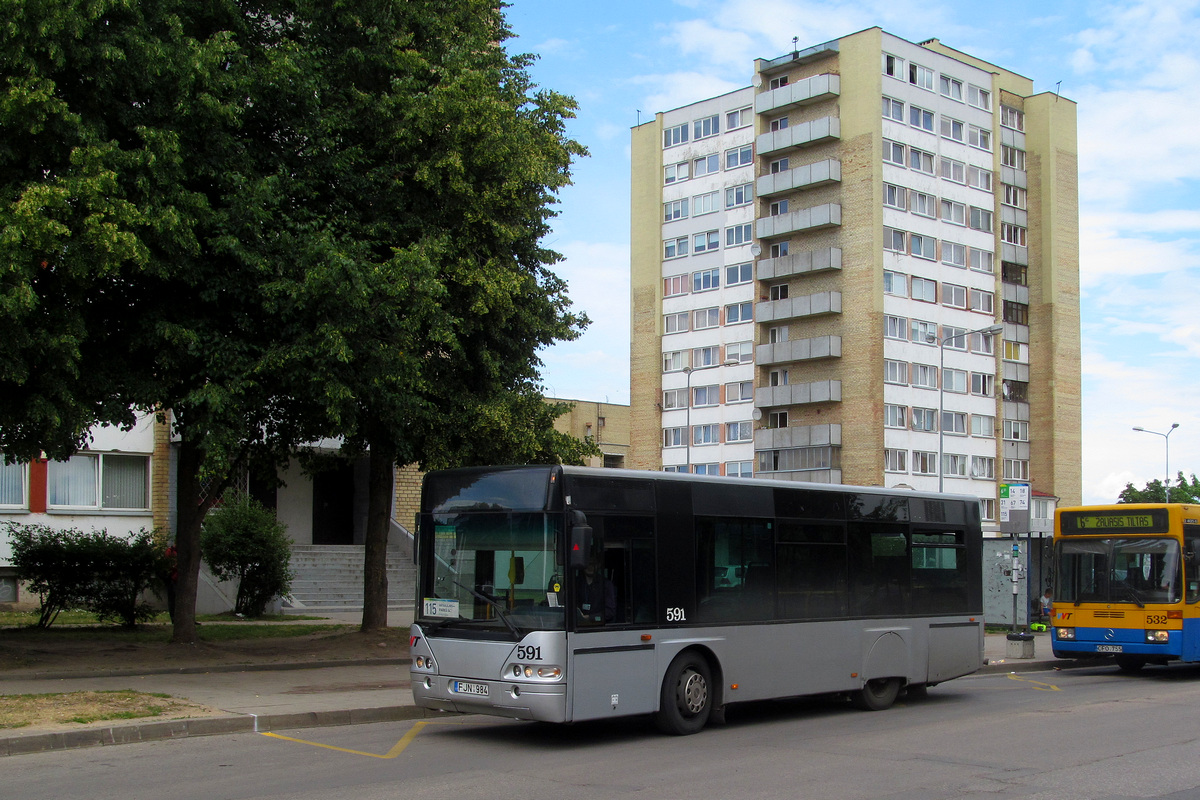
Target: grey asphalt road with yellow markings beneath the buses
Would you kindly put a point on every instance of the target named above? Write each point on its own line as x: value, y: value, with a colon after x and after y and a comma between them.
x: 1085, y: 735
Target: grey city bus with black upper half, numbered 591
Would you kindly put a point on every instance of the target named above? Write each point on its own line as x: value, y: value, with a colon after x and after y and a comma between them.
x: 566, y: 594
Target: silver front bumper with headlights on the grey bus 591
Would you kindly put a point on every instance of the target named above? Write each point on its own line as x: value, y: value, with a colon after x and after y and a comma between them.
x: 541, y: 702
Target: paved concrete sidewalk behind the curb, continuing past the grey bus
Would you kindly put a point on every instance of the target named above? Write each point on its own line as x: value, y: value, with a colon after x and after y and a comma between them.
x: 303, y: 696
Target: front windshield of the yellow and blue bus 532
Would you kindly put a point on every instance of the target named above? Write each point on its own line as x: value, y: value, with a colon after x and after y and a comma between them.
x: 1135, y: 570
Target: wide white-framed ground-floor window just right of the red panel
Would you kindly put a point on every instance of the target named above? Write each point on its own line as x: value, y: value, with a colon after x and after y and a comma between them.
x: 107, y: 482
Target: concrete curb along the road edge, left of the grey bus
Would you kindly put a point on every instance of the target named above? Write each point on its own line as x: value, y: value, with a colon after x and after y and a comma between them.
x: 140, y: 732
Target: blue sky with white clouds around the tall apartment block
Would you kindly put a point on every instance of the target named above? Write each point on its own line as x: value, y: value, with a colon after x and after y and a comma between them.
x: 1132, y: 68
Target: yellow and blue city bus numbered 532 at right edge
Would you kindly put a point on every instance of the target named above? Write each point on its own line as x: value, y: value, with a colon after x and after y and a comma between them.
x: 1127, y: 584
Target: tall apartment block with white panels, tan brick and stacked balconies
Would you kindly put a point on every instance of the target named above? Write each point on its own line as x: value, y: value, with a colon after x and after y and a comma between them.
x: 861, y: 269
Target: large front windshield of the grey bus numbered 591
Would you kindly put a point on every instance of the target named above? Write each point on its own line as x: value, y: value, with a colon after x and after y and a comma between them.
x: 494, y: 570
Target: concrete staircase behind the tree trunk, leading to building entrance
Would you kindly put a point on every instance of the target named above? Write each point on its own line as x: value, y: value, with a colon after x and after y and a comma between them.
x: 329, y: 579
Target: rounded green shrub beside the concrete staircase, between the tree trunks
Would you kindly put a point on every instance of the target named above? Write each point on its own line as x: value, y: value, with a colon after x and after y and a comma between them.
x: 243, y: 542
